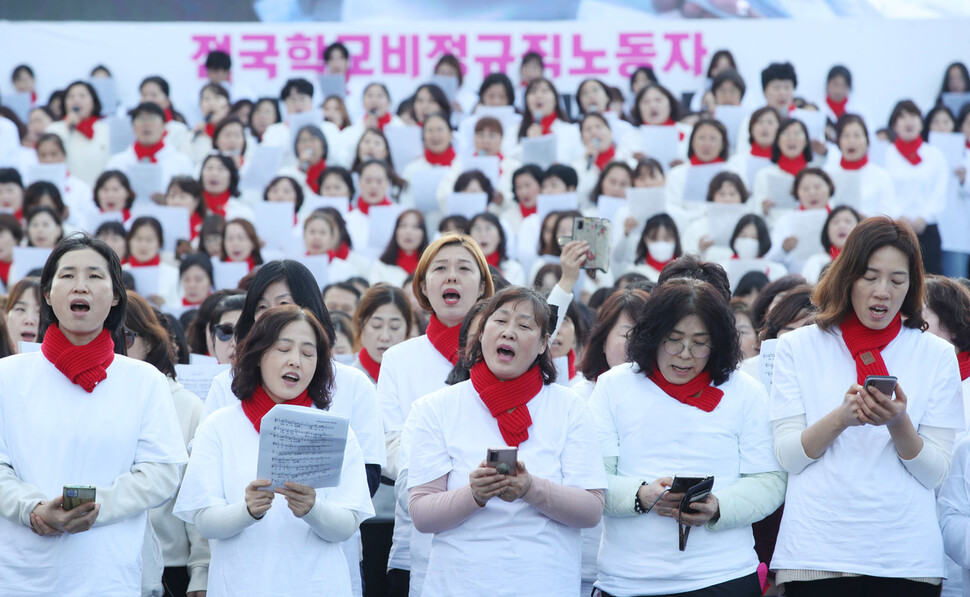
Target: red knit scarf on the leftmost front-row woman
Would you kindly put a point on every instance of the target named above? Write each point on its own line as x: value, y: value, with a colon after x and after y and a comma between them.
x: 84, y: 365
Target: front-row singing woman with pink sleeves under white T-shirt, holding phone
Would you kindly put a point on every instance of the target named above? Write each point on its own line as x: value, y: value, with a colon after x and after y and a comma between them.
x: 556, y: 456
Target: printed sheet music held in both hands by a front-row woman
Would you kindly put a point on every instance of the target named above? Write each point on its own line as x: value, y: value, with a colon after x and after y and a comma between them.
x: 302, y: 445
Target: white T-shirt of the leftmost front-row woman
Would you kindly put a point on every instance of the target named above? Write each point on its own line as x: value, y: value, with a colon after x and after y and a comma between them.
x: 53, y: 433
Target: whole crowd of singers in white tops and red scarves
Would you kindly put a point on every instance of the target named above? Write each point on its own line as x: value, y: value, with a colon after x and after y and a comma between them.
x: 714, y: 378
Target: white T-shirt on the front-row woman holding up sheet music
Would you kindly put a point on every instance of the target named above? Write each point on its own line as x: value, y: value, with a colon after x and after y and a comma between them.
x: 279, y: 554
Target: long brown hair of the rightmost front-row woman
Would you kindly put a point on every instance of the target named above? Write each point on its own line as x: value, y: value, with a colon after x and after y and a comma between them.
x: 833, y: 294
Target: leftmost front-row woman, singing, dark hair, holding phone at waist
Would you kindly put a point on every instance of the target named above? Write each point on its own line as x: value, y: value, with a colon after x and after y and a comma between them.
x: 85, y: 389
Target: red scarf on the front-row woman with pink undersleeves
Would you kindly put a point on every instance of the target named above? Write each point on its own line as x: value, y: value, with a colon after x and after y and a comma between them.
x: 508, y: 401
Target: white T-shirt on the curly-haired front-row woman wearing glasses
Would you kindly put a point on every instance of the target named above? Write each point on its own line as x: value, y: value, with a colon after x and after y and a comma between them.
x: 655, y: 435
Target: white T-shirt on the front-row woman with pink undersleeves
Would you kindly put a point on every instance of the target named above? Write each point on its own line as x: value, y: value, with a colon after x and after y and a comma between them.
x: 452, y: 431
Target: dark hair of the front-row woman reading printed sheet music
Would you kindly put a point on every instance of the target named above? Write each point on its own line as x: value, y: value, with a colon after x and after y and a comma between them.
x: 247, y: 375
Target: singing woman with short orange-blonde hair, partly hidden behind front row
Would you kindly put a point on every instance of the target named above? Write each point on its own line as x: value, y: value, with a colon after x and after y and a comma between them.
x: 452, y: 275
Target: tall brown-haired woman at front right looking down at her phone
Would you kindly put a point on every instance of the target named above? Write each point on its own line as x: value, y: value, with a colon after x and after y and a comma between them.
x: 828, y: 428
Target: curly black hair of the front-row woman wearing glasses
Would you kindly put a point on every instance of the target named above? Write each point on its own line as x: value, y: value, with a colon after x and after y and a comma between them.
x: 671, y: 302
